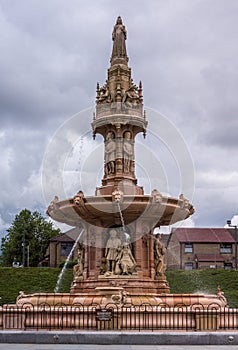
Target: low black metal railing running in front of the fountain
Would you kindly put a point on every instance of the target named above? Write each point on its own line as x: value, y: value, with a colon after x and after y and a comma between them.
x: 118, y: 317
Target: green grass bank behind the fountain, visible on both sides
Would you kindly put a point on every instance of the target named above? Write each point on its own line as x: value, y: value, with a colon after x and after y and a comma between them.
x: 36, y: 280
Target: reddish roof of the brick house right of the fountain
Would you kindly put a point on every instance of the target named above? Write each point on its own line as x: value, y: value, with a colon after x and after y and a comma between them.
x: 203, y: 235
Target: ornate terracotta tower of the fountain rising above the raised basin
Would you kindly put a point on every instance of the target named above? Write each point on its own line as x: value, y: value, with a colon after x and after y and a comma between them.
x: 119, y: 118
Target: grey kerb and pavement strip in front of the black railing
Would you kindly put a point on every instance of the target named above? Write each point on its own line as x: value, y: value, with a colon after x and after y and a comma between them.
x: 70, y: 340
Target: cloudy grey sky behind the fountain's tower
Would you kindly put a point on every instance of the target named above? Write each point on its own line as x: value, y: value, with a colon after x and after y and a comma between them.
x: 54, y: 52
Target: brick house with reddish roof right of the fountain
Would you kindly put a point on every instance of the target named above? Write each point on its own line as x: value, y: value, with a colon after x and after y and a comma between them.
x: 200, y: 248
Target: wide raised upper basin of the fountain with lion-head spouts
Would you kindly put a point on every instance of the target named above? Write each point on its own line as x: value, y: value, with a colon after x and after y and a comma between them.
x: 103, y: 211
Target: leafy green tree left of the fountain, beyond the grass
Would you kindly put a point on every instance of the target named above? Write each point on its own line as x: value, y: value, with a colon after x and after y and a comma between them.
x: 29, y: 232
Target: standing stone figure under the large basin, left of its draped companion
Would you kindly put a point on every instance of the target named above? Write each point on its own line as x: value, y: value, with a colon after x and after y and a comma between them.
x: 112, y: 249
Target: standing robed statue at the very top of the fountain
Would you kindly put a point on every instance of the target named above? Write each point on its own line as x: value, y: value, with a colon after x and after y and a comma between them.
x: 119, y: 40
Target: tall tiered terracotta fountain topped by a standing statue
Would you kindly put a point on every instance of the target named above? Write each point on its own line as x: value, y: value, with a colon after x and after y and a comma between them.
x: 120, y: 257
